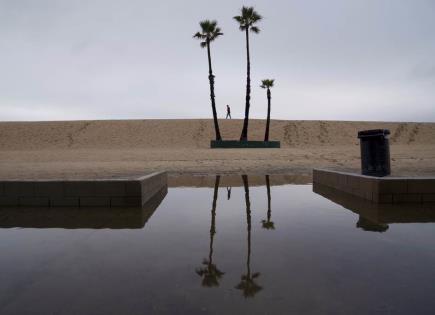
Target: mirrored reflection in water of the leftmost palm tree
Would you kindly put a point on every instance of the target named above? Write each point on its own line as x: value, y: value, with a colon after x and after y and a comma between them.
x: 210, y: 273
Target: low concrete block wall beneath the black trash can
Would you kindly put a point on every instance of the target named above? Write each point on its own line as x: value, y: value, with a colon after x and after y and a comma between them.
x: 385, y: 190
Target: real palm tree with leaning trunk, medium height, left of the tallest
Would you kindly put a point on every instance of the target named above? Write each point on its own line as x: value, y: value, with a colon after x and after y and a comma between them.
x: 209, y: 32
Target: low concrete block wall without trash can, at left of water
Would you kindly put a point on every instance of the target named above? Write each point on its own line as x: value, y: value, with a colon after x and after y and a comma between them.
x: 82, y: 193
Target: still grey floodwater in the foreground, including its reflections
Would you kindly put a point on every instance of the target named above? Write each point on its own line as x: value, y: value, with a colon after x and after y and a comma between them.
x: 235, y: 246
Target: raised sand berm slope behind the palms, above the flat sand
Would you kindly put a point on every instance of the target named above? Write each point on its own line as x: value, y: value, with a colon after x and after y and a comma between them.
x: 146, y: 134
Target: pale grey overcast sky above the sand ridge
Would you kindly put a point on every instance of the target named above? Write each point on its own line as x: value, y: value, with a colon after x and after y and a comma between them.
x: 113, y: 59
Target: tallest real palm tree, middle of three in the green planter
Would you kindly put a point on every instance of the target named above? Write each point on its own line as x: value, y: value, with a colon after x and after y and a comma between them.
x: 247, y: 21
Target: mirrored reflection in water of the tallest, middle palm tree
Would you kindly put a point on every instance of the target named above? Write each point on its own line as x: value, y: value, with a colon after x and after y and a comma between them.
x: 247, y: 283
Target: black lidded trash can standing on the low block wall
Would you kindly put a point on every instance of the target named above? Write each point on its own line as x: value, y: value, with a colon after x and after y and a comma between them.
x: 375, y: 152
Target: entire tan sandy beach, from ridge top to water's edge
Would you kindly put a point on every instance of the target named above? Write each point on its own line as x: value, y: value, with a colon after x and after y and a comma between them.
x: 90, y: 149
